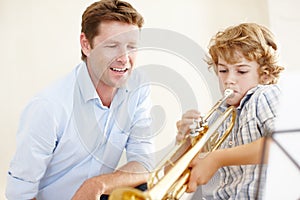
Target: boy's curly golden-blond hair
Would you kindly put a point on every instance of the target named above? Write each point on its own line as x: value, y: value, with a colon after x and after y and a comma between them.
x: 254, y: 42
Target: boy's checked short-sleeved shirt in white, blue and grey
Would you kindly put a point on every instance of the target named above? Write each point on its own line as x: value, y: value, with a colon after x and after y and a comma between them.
x: 255, y: 119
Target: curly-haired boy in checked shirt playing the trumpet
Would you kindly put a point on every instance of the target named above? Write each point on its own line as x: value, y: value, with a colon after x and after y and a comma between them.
x: 244, y: 59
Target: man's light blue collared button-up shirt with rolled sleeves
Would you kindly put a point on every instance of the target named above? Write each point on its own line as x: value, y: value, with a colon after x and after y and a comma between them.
x: 66, y: 136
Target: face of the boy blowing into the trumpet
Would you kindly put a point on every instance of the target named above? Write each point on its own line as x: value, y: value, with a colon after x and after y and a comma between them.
x: 240, y: 77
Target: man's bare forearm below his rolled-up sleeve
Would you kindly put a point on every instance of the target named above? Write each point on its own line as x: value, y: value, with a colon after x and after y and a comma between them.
x: 130, y: 175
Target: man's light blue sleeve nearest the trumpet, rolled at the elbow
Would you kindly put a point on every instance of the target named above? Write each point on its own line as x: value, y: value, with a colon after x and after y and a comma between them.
x: 140, y: 144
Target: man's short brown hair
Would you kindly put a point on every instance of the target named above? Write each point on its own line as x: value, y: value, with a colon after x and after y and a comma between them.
x: 107, y: 10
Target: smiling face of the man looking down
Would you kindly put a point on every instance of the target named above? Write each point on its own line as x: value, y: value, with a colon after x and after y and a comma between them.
x: 112, y: 58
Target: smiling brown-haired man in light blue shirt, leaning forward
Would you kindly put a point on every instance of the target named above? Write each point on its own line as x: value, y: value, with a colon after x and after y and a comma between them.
x: 72, y: 135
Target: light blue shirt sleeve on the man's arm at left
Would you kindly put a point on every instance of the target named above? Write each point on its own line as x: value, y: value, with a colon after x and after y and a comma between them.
x: 36, y: 141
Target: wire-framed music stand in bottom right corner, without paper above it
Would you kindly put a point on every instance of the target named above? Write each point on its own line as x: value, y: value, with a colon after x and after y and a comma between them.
x: 283, y: 175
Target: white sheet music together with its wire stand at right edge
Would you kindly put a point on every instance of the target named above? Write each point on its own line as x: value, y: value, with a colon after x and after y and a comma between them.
x: 283, y: 174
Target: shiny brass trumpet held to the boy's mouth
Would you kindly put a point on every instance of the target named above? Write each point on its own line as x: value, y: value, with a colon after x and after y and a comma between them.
x: 169, y: 181
